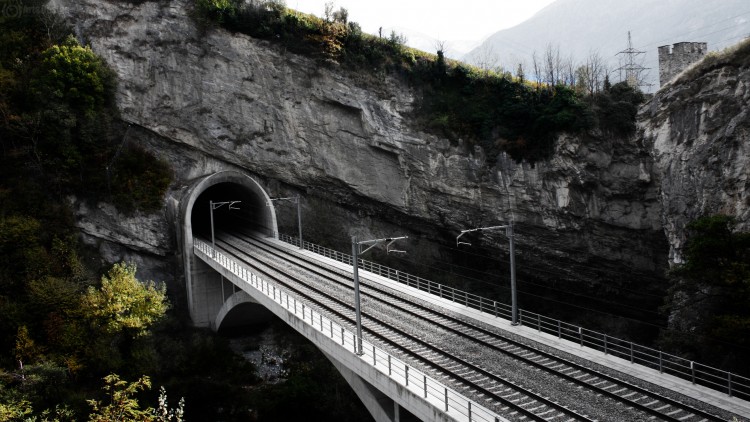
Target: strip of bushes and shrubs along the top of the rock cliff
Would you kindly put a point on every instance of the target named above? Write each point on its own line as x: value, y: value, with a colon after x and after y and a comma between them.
x: 498, y: 111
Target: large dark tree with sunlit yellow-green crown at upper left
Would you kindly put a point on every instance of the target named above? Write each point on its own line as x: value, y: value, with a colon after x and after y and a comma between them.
x: 65, y: 118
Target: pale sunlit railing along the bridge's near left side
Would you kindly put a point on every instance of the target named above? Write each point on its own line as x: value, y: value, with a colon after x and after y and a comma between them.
x: 418, y: 382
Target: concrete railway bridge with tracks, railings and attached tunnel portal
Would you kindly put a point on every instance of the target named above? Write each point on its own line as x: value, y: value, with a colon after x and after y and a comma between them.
x: 478, y: 367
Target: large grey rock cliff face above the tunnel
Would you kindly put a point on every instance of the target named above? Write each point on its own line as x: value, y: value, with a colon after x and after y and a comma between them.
x: 212, y: 100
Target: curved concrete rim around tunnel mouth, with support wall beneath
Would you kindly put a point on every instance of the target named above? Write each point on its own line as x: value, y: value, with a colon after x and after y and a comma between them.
x: 204, y: 293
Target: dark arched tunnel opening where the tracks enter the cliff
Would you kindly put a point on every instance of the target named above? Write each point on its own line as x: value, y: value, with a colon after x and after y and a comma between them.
x: 246, y: 214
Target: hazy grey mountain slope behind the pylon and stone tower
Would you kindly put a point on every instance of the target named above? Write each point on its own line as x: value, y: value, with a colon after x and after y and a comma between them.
x: 582, y: 26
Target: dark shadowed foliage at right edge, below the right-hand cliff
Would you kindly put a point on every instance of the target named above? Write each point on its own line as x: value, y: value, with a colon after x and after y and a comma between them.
x: 710, y: 295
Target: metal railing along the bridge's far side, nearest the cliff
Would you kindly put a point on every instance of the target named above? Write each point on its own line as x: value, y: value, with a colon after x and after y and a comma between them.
x: 697, y: 373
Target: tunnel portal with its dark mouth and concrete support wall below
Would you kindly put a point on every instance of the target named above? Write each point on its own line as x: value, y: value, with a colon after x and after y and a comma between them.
x: 206, y: 289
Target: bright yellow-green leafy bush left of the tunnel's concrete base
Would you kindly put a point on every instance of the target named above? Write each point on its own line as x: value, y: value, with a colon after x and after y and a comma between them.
x: 124, y: 304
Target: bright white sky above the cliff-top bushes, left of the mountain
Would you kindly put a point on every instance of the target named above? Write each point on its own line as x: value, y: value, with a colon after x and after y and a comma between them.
x: 440, y: 19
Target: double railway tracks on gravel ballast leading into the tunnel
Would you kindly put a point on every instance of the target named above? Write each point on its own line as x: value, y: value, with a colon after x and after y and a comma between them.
x: 515, y: 398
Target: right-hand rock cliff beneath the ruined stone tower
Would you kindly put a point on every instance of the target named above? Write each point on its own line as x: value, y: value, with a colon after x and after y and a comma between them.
x: 699, y: 131
